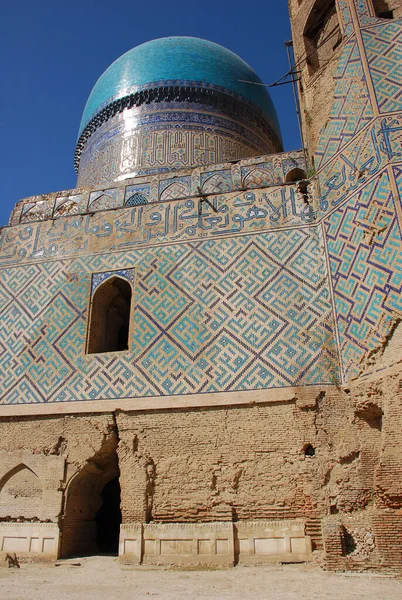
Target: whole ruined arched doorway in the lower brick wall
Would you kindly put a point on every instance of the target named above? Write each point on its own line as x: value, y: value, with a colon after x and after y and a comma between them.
x: 92, y: 516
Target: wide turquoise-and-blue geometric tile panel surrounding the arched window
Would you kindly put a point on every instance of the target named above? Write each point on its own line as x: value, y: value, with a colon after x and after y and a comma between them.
x: 235, y: 313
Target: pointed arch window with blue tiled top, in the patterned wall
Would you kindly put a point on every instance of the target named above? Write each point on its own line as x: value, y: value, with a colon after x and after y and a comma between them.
x: 109, y: 314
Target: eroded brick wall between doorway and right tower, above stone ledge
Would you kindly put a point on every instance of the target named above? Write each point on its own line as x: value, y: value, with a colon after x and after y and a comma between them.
x: 221, y: 464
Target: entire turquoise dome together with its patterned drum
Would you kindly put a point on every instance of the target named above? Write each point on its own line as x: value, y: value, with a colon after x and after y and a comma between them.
x: 171, y: 103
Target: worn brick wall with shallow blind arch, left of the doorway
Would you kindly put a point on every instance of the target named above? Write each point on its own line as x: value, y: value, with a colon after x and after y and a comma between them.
x: 38, y: 458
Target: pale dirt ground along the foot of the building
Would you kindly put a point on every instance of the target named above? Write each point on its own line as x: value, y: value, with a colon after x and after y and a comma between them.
x: 102, y: 578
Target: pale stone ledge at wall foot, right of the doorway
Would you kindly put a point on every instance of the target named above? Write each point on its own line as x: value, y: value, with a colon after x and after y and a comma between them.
x: 215, y: 544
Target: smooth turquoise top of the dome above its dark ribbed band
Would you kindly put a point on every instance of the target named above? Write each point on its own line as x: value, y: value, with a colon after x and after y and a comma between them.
x: 178, y: 59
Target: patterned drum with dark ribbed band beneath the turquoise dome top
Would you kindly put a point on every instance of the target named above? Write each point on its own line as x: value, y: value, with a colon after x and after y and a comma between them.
x: 166, y: 128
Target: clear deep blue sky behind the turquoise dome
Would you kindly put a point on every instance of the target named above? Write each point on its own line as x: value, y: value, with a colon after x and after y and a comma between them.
x: 52, y: 52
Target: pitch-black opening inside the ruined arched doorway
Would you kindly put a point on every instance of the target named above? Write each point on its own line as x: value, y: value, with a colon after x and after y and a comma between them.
x: 108, y: 519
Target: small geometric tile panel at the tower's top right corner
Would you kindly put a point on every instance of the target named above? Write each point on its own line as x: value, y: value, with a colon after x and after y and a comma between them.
x: 383, y: 45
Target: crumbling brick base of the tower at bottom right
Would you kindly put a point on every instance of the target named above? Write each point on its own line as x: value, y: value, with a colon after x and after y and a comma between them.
x: 365, y: 529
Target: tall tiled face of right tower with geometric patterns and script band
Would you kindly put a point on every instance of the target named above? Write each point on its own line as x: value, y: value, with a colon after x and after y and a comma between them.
x: 363, y: 235
